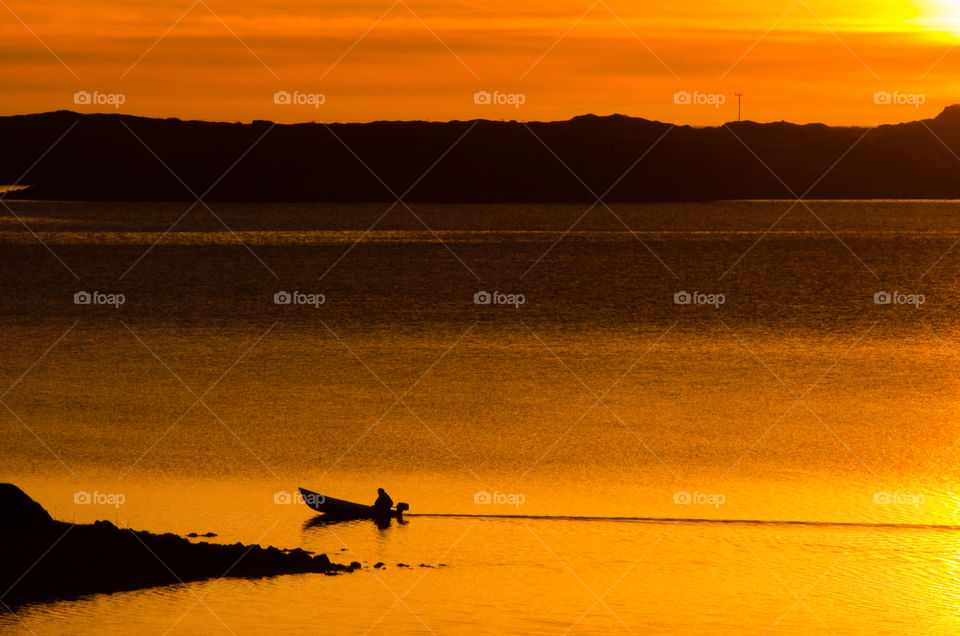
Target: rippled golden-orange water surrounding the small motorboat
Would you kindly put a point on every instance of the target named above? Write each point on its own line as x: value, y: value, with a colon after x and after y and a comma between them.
x: 738, y: 417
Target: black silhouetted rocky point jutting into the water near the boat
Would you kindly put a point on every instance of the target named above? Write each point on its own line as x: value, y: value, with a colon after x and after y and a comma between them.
x: 42, y: 559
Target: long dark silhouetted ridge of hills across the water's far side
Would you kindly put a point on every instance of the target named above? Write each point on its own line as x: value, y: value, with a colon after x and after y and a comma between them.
x: 101, y: 158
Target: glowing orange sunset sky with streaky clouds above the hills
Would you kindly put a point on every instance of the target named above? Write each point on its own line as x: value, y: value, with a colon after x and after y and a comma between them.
x: 796, y: 60
